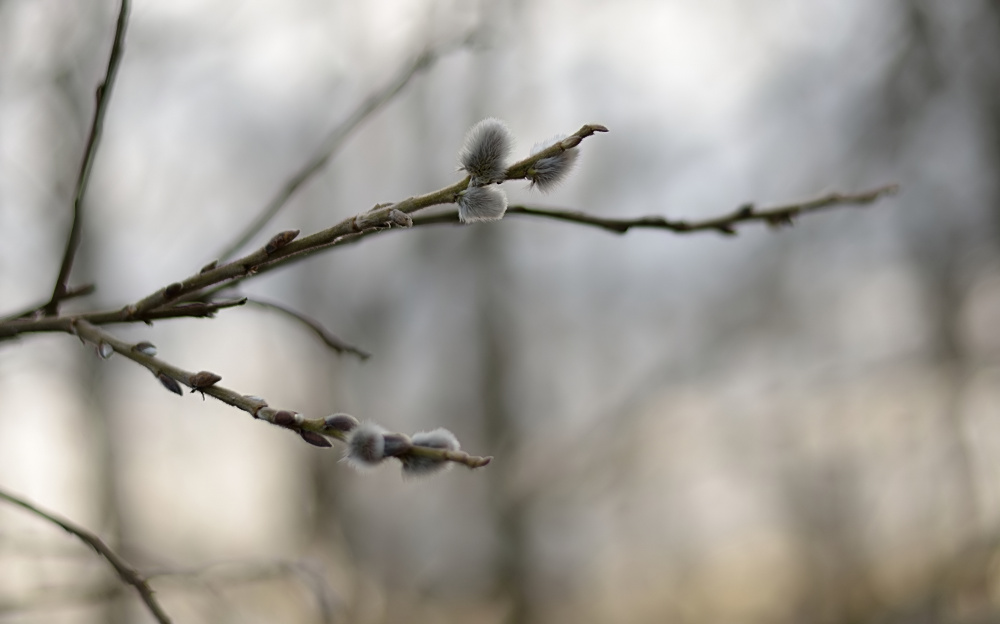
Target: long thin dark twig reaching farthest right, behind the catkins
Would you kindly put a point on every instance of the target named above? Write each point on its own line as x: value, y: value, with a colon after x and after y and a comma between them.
x: 777, y: 216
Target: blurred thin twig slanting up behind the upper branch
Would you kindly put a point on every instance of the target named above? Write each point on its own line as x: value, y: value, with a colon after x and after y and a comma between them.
x: 367, y: 107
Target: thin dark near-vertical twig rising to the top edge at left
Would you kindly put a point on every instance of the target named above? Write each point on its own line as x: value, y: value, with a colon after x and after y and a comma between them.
x: 103, y: 97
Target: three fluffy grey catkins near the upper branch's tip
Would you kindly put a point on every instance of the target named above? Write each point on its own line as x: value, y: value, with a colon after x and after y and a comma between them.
x: 484, y: 155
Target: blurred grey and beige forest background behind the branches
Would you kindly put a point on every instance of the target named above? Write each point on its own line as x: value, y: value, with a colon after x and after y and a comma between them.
x: 799, y: 425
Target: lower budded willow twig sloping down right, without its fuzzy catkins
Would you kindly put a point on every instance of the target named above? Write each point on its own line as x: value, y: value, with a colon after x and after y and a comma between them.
x: 312, y: 430
